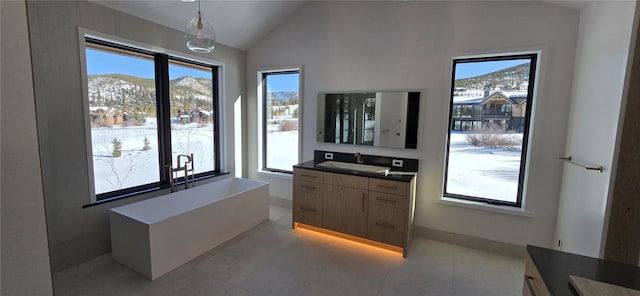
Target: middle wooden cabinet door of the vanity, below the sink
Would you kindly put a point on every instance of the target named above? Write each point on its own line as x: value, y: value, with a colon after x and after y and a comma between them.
x: 345, y: 210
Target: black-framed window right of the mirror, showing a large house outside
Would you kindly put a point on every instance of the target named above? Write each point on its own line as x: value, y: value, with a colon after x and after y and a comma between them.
x: 486, y: 150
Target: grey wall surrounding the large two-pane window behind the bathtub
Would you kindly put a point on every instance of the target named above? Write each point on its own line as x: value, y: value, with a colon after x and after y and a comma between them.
x: 77, y: 234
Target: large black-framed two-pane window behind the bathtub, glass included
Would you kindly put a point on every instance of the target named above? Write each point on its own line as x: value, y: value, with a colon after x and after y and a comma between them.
x: 145, y: 109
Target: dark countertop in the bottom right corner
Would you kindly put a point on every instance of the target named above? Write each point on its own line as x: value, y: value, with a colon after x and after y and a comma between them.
x: 556, y: 266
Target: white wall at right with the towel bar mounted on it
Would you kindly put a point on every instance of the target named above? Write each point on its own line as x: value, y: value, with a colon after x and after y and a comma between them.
x: 601, y: 60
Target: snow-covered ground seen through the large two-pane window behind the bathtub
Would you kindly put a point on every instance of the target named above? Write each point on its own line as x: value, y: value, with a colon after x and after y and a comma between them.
x: 138, y: 166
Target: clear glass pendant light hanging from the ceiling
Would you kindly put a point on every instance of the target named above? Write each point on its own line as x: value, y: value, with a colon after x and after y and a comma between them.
x: 199, y: 34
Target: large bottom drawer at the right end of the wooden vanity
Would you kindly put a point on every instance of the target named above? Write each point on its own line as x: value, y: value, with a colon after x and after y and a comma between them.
x: 386, y: 225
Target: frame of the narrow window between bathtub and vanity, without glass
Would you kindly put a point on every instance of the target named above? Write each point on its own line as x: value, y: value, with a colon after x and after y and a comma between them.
x: 263, y: 118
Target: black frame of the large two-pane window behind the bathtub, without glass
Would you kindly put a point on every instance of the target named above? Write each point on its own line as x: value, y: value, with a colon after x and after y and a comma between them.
x: 163, y: 125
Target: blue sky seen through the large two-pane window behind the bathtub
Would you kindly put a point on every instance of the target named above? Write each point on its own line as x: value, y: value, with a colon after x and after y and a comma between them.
x: 101, y: 62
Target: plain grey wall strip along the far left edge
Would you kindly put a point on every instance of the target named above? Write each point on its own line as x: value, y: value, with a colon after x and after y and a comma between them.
x: 24, y: 257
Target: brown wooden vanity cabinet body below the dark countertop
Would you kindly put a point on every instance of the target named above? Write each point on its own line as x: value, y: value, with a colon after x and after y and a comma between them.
x: 376, y: 209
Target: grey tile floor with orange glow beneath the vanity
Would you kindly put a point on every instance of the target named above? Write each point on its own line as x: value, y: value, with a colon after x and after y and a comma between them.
x: 271, y: 259
